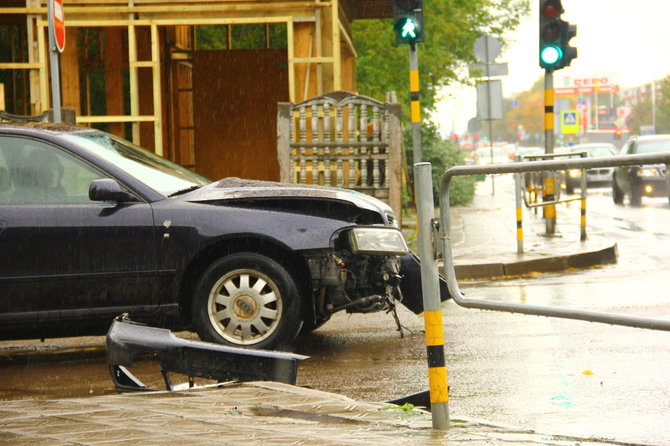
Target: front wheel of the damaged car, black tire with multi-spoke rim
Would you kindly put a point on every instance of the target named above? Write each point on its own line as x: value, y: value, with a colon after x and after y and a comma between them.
x: 247, y: 300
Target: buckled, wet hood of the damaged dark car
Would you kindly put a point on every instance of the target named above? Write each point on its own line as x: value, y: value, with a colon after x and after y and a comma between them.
x: 241, y: 190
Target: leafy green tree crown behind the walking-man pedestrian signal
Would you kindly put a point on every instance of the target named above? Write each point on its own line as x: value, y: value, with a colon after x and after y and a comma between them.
x: 451, y: 28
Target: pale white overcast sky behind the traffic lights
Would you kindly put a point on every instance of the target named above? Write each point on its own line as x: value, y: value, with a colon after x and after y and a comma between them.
x: 630, y: 39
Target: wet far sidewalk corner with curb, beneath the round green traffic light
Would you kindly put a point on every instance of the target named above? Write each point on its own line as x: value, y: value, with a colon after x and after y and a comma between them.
x: 484, y: 238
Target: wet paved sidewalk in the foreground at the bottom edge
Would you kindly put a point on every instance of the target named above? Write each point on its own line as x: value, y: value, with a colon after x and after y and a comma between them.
x: 251, y: 413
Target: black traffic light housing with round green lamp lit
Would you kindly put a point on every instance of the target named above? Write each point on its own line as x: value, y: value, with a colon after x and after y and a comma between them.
x: 555, y: 35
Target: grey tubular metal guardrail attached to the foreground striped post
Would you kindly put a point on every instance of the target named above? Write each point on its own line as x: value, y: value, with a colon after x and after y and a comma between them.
x: 535, y: 166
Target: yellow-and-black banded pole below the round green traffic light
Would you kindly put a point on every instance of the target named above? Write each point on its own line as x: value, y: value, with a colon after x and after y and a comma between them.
x: 549, y: 186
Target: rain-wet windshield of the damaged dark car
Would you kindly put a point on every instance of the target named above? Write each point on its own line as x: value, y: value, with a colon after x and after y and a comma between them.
x: 158, y: 173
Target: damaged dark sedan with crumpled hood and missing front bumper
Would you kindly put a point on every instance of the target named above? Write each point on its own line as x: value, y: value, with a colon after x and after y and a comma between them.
x: 92, y: 226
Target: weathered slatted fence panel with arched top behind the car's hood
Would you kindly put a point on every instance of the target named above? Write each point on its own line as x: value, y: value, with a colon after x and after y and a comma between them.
x: 344, y: 140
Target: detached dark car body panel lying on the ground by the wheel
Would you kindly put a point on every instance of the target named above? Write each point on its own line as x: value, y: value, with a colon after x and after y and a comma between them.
x: 128, y: 341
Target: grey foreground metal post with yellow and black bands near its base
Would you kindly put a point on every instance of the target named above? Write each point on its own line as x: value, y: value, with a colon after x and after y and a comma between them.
x: 430, y: 286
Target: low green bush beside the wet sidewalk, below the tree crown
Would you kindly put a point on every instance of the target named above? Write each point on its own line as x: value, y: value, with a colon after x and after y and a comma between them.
x: 442, y: 155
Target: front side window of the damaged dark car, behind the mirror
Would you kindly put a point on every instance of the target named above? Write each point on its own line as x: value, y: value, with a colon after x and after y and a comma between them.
x: 39, y: 173
